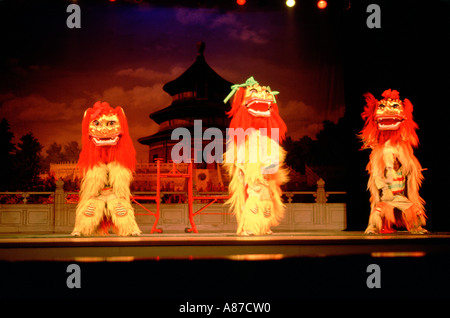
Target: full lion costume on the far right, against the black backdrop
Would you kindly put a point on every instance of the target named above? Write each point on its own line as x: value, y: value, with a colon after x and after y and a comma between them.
x: 395, y: 174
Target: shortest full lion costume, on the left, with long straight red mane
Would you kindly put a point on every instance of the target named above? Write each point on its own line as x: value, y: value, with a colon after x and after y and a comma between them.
x: 107, y: 162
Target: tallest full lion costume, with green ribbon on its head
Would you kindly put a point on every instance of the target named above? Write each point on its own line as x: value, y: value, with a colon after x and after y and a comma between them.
x: 254, y: 159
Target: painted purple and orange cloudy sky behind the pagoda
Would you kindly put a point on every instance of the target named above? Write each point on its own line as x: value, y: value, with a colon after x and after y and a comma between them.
x: 125, y: 52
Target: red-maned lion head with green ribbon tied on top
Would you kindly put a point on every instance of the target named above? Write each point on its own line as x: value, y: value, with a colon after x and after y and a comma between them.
x: 255, y: 106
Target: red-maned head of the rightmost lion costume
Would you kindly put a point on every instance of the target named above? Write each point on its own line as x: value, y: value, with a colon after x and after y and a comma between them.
x: 388, y: 119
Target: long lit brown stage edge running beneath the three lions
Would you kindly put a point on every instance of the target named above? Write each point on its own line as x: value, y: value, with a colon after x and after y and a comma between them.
x: 111, y: 248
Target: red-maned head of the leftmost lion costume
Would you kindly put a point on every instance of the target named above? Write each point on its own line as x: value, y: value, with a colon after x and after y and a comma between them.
x: 105, y: 137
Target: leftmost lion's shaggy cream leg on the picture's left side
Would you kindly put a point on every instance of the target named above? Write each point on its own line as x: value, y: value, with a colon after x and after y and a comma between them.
x: 89, y: 215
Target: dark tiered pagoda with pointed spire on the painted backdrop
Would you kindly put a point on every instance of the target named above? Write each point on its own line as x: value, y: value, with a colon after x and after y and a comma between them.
x: 197, y: 94
